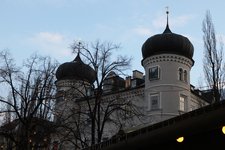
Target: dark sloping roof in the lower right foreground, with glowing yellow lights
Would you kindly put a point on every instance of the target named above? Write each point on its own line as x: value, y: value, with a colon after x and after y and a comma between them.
x: 200, y: 128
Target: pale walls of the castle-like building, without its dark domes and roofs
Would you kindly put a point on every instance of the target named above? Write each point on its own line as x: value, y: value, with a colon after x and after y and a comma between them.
x: 168, y: 91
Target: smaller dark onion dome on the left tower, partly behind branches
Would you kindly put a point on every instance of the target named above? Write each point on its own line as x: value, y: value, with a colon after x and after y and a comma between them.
x: 77, y: 70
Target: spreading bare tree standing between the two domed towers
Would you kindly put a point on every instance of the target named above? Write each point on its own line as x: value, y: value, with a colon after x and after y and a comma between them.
x: 97, y: 110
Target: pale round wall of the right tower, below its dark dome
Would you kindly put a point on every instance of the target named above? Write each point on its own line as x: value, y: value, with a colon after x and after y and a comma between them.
x: 170, y: 86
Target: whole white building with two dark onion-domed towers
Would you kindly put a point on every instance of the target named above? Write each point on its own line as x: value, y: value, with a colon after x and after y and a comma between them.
x: 161, y: 93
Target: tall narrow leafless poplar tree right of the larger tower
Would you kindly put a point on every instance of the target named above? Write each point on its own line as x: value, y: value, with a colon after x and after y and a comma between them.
x: 213, y: 63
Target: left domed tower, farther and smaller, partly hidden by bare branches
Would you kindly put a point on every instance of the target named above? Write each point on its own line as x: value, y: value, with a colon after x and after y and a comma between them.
x: 74, y: 81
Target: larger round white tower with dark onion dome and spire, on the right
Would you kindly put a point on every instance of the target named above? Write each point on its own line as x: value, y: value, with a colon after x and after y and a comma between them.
x: 167, y: 60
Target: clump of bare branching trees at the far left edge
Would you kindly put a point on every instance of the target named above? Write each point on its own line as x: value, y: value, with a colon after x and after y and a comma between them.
x: 30, y: 101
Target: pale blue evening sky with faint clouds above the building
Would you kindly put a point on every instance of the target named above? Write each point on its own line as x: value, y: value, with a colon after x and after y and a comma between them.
x: 49, y: 27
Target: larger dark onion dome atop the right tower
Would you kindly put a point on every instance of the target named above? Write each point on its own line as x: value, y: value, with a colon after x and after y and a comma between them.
x: 167, y: 43
